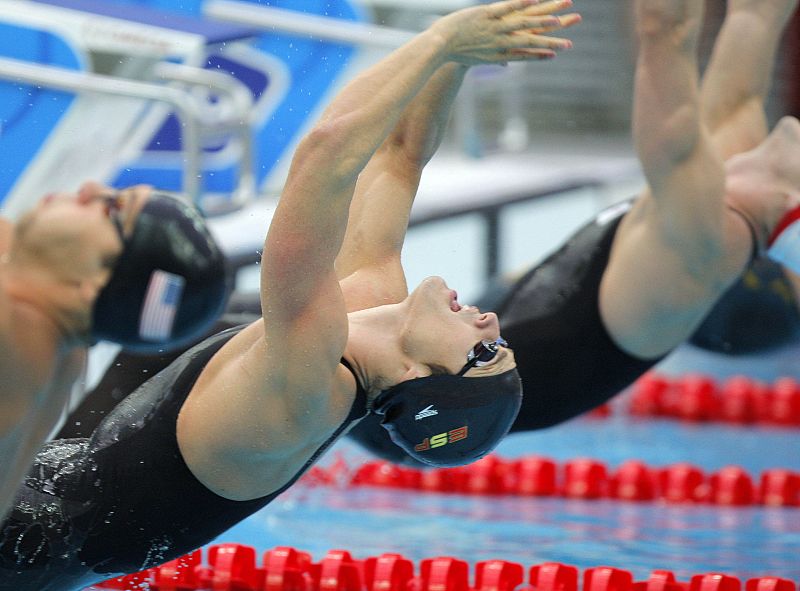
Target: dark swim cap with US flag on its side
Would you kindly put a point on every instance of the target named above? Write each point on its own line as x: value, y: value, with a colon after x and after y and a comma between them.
x: 170, y: 284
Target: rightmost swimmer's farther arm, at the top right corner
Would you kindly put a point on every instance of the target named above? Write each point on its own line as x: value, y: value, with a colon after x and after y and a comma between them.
x: 737, y: 79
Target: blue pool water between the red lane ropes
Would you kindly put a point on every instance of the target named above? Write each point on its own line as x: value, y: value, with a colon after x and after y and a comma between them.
x: 746, y: 542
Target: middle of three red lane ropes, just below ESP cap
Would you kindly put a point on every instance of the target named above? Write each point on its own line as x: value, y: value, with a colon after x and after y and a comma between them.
x: 586, y: 478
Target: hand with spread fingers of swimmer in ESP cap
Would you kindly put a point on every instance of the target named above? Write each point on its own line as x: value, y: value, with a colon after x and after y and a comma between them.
x: 512, y: 30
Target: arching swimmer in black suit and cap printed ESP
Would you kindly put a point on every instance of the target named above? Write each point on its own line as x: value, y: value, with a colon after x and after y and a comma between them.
x: 236, y: 420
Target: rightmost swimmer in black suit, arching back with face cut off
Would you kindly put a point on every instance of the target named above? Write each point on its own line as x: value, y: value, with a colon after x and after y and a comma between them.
x: 639, y: 280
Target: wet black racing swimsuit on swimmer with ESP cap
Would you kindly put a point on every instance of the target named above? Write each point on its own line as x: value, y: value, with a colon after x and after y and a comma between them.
x: 123, y: 499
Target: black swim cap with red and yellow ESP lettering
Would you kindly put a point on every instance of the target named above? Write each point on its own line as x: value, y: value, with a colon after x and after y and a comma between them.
x: 448, y: 420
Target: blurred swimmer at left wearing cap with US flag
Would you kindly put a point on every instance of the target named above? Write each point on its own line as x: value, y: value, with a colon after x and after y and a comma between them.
x: 65, y: 269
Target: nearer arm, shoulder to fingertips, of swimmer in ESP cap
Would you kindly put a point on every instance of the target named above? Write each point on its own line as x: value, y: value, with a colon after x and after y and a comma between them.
x: 291, y: 391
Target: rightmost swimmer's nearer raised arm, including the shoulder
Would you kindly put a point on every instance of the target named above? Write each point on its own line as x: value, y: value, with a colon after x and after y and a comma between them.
x: 679, y: 247
